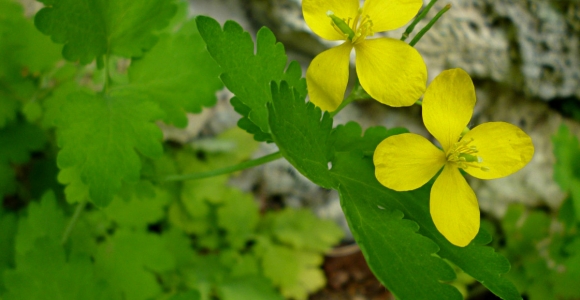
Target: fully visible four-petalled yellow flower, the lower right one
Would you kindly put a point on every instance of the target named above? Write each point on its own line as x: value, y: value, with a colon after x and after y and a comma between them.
x: 488, y: 151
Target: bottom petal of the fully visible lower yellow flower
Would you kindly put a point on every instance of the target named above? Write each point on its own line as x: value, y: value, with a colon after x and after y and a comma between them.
x: 454, y: 207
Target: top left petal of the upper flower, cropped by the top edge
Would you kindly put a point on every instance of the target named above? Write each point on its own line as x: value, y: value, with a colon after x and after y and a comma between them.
x: 315, y: 15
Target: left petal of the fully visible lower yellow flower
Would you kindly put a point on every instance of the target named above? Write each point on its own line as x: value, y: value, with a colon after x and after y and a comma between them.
x: 406, y: 161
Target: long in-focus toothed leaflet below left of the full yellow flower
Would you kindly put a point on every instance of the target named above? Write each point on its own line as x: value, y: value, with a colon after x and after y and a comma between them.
x: 388, y: 241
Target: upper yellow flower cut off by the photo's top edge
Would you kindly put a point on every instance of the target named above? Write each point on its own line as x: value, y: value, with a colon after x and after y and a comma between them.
x: 390, y: 70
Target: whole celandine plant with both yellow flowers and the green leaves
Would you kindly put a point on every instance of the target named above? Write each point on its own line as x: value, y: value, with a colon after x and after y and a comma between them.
x: 106, y: 148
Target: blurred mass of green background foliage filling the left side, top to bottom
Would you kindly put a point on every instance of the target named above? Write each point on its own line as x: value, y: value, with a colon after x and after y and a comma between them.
x: 93, y: 130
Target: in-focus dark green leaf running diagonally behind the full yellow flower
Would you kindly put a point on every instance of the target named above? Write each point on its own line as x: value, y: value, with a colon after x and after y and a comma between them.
x: 375, y: 214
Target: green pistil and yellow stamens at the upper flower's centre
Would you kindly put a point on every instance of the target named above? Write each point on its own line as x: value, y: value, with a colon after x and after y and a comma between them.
x: 356, y: 30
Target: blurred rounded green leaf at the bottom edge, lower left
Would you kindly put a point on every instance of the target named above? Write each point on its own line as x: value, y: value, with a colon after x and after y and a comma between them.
x: 128, y: 261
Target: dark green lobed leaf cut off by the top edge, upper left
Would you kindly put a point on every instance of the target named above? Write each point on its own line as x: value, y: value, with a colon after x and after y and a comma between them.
x: 92, y: 29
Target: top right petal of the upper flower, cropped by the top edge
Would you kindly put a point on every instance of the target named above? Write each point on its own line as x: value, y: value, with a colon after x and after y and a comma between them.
x: 392, y: 14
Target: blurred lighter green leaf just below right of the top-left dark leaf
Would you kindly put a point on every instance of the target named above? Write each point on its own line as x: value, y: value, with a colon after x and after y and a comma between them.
x: 178, y: 74
